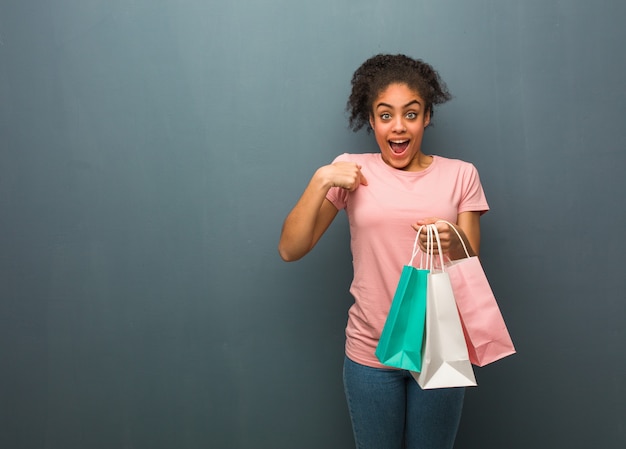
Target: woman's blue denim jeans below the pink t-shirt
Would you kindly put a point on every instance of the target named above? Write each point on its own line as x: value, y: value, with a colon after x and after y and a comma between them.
x: 389, y: 410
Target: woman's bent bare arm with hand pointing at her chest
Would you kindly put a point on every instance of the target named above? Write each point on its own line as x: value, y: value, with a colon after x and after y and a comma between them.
x: 313, y: 213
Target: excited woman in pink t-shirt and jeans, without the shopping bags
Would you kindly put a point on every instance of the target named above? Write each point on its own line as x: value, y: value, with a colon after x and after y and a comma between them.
x: 387, y: 196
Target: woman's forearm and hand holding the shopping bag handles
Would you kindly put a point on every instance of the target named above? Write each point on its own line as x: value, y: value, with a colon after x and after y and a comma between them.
x: 468, y: 225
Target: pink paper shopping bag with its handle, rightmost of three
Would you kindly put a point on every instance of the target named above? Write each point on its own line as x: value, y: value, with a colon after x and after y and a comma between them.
x: 485, y: 331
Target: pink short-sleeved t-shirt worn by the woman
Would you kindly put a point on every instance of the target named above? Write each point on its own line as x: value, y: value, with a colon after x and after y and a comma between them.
x: 380, y: 216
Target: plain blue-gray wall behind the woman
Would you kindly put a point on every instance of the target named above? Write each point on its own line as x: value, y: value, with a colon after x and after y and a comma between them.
x: 150, y: 149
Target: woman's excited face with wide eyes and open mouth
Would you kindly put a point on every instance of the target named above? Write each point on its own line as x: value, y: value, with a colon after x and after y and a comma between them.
x: 398, y: 119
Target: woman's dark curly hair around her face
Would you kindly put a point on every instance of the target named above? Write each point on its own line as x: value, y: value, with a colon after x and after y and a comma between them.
x: 380, y: 71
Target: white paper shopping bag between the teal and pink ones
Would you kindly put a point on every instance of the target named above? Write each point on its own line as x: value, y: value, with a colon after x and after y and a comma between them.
x: 445, y: 359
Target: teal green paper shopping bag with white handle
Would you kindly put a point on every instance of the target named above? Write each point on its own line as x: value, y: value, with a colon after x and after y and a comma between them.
x: 400, y: 344
